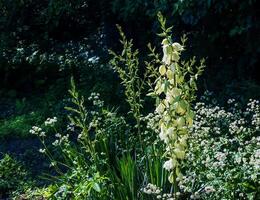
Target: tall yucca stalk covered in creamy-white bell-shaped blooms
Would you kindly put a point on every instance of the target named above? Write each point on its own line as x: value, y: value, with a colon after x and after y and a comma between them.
x: 174, y: 90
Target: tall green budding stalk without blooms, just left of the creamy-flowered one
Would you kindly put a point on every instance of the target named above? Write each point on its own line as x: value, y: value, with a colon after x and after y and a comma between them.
x: 126, y: 65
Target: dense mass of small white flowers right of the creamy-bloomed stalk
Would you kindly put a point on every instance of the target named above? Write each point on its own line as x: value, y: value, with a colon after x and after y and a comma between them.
x: 223, y: 150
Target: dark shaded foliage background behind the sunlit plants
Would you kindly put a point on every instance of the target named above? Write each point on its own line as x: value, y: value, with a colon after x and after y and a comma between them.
x: 45, y: 42
